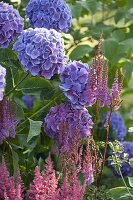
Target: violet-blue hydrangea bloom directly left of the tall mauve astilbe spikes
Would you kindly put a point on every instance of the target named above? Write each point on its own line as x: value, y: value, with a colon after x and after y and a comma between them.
x: 75, y: 82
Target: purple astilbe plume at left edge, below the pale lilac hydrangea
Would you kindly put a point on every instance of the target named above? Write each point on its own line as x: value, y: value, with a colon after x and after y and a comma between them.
x: 7, y: 121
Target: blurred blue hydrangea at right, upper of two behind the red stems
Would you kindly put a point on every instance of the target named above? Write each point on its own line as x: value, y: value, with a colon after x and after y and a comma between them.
x: 118, y: 125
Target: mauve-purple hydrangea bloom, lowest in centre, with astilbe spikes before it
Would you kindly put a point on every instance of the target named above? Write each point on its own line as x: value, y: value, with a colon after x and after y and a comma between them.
x: 63, y: 123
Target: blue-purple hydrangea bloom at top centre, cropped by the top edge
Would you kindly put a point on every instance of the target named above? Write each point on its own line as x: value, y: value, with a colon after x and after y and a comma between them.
x: 50, y: 14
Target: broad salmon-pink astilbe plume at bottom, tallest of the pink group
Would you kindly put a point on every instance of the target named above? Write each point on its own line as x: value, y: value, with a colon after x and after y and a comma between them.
x: 44, y: 184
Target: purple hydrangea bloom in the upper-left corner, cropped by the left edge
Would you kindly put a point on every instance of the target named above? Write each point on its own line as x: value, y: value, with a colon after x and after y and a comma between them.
x: 11, y: 24
